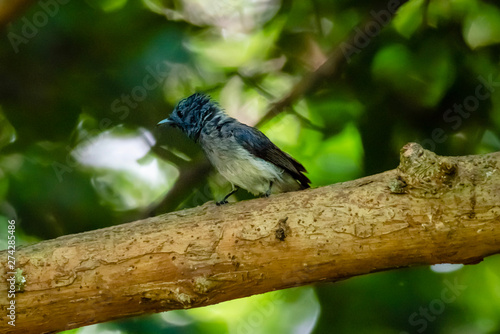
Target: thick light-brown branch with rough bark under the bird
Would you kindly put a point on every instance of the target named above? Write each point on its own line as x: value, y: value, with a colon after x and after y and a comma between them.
x: 429, y: 210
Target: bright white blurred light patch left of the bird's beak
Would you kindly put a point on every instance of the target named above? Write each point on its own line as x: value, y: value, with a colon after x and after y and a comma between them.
x: 125, y: 174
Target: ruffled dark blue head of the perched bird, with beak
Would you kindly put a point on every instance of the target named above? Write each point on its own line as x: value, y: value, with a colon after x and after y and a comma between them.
x: 191, y: 114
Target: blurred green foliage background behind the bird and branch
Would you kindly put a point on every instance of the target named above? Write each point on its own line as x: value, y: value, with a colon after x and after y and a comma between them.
x: 84, y: 83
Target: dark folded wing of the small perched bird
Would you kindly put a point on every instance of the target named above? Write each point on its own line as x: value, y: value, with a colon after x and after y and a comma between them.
x: 259, y: 145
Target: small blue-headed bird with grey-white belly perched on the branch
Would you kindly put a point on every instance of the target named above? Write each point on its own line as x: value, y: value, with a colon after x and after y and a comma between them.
x: 242, y: 154
